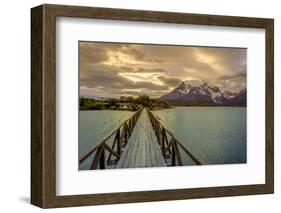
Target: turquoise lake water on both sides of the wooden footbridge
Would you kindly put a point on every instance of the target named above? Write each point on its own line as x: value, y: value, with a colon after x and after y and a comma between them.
x: 216, y: 135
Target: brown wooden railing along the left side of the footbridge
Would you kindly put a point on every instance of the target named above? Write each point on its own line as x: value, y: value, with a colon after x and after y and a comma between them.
x: 100, y: 147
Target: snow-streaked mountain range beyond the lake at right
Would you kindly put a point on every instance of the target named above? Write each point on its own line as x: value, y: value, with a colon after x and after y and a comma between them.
x: 204, y: 95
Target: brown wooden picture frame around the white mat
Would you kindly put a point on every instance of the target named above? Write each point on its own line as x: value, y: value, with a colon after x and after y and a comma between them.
x: 43, y: 105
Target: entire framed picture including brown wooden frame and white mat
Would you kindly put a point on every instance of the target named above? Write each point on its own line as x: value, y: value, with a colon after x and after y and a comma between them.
x: 133, y: 105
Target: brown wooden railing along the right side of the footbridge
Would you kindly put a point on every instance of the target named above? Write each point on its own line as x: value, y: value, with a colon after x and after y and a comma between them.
x: 169, y: 144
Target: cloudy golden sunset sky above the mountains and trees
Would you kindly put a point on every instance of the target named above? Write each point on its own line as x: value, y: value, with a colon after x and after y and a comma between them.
x: 115, y: 69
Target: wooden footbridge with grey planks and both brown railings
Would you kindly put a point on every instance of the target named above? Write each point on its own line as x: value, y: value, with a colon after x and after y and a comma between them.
x: 140, y: 141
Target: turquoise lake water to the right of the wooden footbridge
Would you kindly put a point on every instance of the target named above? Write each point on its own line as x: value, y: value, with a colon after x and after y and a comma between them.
x: 217, y: 135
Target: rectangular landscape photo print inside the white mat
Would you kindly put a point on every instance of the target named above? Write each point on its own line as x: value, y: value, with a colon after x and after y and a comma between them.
x: 152, y: 105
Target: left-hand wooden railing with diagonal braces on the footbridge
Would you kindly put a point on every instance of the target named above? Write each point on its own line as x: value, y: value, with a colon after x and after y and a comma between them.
x: 121, y: 136
